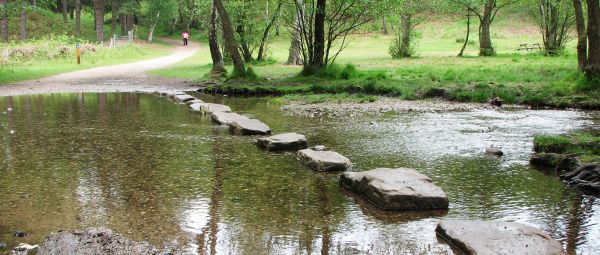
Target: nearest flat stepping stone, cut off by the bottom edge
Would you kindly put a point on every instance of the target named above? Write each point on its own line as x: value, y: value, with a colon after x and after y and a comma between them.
x: 492, y: 237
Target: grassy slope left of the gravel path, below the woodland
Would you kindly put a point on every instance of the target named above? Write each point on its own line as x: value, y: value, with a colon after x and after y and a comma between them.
x: 42, y: 23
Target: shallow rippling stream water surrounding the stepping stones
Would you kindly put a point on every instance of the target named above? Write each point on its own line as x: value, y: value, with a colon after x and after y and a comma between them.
x: 152, y: 170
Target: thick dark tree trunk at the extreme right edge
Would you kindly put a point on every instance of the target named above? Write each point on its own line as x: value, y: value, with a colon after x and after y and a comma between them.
x: 592, y: 68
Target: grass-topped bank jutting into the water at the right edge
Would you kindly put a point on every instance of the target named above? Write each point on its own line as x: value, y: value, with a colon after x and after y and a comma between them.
x: 586, y: 145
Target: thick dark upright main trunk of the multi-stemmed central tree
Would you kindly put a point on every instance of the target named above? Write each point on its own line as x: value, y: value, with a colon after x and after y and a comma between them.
x: 317, y: 61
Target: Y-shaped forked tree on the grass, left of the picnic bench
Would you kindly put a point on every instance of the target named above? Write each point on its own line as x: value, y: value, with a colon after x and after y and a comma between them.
x: 486, y: 11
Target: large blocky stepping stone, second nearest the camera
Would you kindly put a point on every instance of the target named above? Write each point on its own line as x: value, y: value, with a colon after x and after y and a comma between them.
x: 396, y: 189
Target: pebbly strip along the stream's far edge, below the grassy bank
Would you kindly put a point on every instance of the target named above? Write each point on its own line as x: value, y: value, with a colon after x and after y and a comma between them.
x: 381, y: 106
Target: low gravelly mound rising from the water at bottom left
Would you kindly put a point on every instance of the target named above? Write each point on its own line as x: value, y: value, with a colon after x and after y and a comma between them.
x: 93, y: 241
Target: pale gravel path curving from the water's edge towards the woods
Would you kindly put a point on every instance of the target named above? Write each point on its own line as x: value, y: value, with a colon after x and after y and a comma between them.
x: 117, y: 78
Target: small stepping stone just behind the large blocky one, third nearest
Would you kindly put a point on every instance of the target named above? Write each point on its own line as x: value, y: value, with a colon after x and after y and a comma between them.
x: 324, y: 161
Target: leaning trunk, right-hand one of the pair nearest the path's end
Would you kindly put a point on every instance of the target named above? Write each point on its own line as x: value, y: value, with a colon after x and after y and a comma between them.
x: 230, y: 43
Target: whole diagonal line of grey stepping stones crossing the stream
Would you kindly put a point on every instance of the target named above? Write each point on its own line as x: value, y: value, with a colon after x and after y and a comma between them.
x: 389, y: 189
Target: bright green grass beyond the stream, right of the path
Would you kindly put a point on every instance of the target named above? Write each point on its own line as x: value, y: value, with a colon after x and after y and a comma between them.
x: 515, y: 77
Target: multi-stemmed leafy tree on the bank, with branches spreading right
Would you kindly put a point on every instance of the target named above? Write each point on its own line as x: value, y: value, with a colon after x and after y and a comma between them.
x: 326, y: 25
